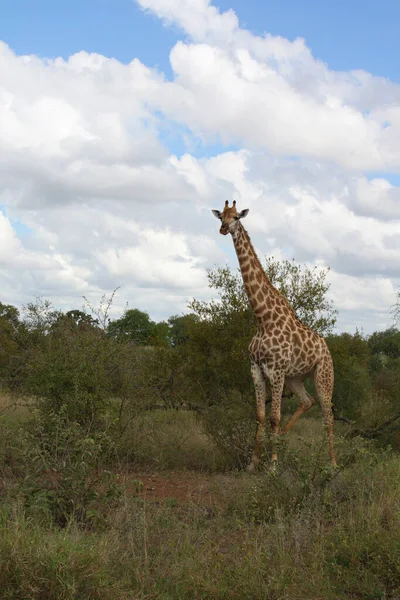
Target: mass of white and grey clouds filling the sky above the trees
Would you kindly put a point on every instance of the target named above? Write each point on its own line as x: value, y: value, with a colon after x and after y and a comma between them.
x: 92, y: 197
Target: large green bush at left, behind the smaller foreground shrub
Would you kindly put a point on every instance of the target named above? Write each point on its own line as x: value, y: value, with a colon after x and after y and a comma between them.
x: 65, y: 361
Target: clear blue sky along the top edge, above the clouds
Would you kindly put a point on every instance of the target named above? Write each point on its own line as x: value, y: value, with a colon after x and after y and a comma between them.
x: 356, y: 34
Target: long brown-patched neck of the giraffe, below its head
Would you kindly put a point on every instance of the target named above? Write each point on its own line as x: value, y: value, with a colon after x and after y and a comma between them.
x: 260, y: 291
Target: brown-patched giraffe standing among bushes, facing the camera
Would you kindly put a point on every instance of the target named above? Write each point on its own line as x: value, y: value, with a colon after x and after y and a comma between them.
x: 284, y: 350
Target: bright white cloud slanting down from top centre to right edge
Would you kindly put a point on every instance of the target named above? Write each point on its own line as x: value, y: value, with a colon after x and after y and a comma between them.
x: 269, y: 93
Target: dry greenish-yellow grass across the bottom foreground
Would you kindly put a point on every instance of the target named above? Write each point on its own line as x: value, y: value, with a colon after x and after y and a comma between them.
x: 342, y: 545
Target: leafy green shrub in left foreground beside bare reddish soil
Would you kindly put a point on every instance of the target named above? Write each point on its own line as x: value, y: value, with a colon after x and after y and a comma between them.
x: 65, y: 474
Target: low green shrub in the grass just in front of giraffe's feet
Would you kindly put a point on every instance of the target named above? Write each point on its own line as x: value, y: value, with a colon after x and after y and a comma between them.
x: 302, y: 478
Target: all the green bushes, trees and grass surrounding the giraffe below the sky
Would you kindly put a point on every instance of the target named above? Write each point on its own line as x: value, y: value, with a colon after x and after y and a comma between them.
x: 92, y: 408
